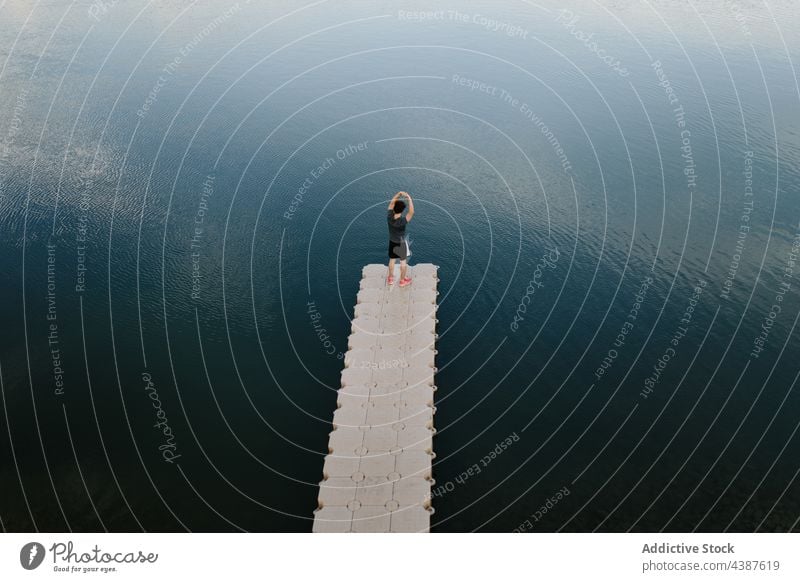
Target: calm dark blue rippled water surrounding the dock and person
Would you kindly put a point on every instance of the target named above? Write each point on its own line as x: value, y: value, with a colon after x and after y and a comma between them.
x: 611, y: 194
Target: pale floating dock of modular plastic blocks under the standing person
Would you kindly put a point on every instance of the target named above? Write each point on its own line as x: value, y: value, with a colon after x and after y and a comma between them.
x: 377, y: 475
